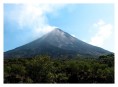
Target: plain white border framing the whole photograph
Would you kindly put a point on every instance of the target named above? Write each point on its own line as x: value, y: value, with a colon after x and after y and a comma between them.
x: 2, y: 2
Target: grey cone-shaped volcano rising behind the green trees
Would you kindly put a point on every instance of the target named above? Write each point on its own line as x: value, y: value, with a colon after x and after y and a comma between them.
x: 56, y: 43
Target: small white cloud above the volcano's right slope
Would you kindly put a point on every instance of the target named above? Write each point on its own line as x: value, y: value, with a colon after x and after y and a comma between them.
x: 104, y: 31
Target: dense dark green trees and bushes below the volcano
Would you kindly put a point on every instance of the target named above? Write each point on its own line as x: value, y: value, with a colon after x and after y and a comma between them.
x: 43, y: 69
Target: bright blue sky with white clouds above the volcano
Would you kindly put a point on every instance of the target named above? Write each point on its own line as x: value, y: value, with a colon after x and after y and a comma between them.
x: 92, y: 23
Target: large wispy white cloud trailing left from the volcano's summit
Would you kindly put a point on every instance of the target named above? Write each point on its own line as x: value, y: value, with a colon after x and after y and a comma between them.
x: 33, y: 16
